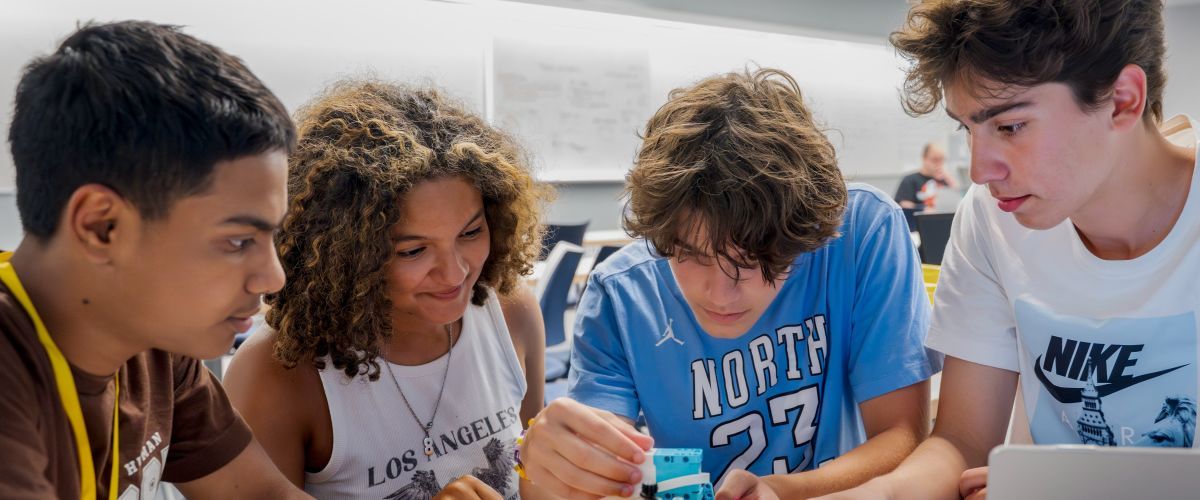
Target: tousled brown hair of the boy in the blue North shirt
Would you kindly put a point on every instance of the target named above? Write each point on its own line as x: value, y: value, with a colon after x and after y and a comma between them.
x: 742, y: 155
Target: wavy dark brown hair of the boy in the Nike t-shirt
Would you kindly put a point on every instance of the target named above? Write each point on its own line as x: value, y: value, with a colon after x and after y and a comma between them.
x: 1082, y: 44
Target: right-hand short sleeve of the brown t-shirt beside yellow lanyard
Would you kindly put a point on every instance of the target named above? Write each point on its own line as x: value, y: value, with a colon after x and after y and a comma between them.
x: 207, y: 433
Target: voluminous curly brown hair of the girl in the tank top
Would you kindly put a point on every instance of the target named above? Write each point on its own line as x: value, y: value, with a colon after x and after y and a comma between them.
x: 363, y: 146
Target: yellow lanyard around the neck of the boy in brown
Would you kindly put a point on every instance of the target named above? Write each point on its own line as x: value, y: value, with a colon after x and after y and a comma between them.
x: 68, y: 393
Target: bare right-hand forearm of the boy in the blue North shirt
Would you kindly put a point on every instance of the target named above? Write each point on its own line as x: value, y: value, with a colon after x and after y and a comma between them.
x: 878, y: 456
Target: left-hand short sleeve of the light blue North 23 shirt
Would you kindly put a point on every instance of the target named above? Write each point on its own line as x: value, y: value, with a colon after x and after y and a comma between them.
x: 601, y: 376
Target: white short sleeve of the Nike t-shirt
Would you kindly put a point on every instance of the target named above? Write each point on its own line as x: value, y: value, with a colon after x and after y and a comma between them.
x: 973, y: 317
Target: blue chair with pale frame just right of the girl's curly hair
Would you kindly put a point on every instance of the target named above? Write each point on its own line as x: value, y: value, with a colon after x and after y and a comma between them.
x: 551, y: 292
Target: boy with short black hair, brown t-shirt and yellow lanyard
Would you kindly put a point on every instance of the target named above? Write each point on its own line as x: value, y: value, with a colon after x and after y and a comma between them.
x: 151, y: 174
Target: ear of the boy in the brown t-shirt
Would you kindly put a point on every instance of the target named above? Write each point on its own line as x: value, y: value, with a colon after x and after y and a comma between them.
x: 97, y: 218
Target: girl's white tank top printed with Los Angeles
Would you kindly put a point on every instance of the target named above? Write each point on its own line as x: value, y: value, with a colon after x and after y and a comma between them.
x: 379, y: 451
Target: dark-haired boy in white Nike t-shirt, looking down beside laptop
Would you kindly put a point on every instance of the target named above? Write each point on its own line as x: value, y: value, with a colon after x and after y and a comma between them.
x: 1075, y: 262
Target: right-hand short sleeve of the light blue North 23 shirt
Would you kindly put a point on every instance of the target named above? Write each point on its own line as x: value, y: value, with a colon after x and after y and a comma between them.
x: 891, y: 311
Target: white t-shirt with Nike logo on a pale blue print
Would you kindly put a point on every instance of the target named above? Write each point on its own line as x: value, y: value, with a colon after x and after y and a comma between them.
x: 1107, y: 350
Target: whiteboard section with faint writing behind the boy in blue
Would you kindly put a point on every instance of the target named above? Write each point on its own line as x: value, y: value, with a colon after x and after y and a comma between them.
x: 853, y: 88
